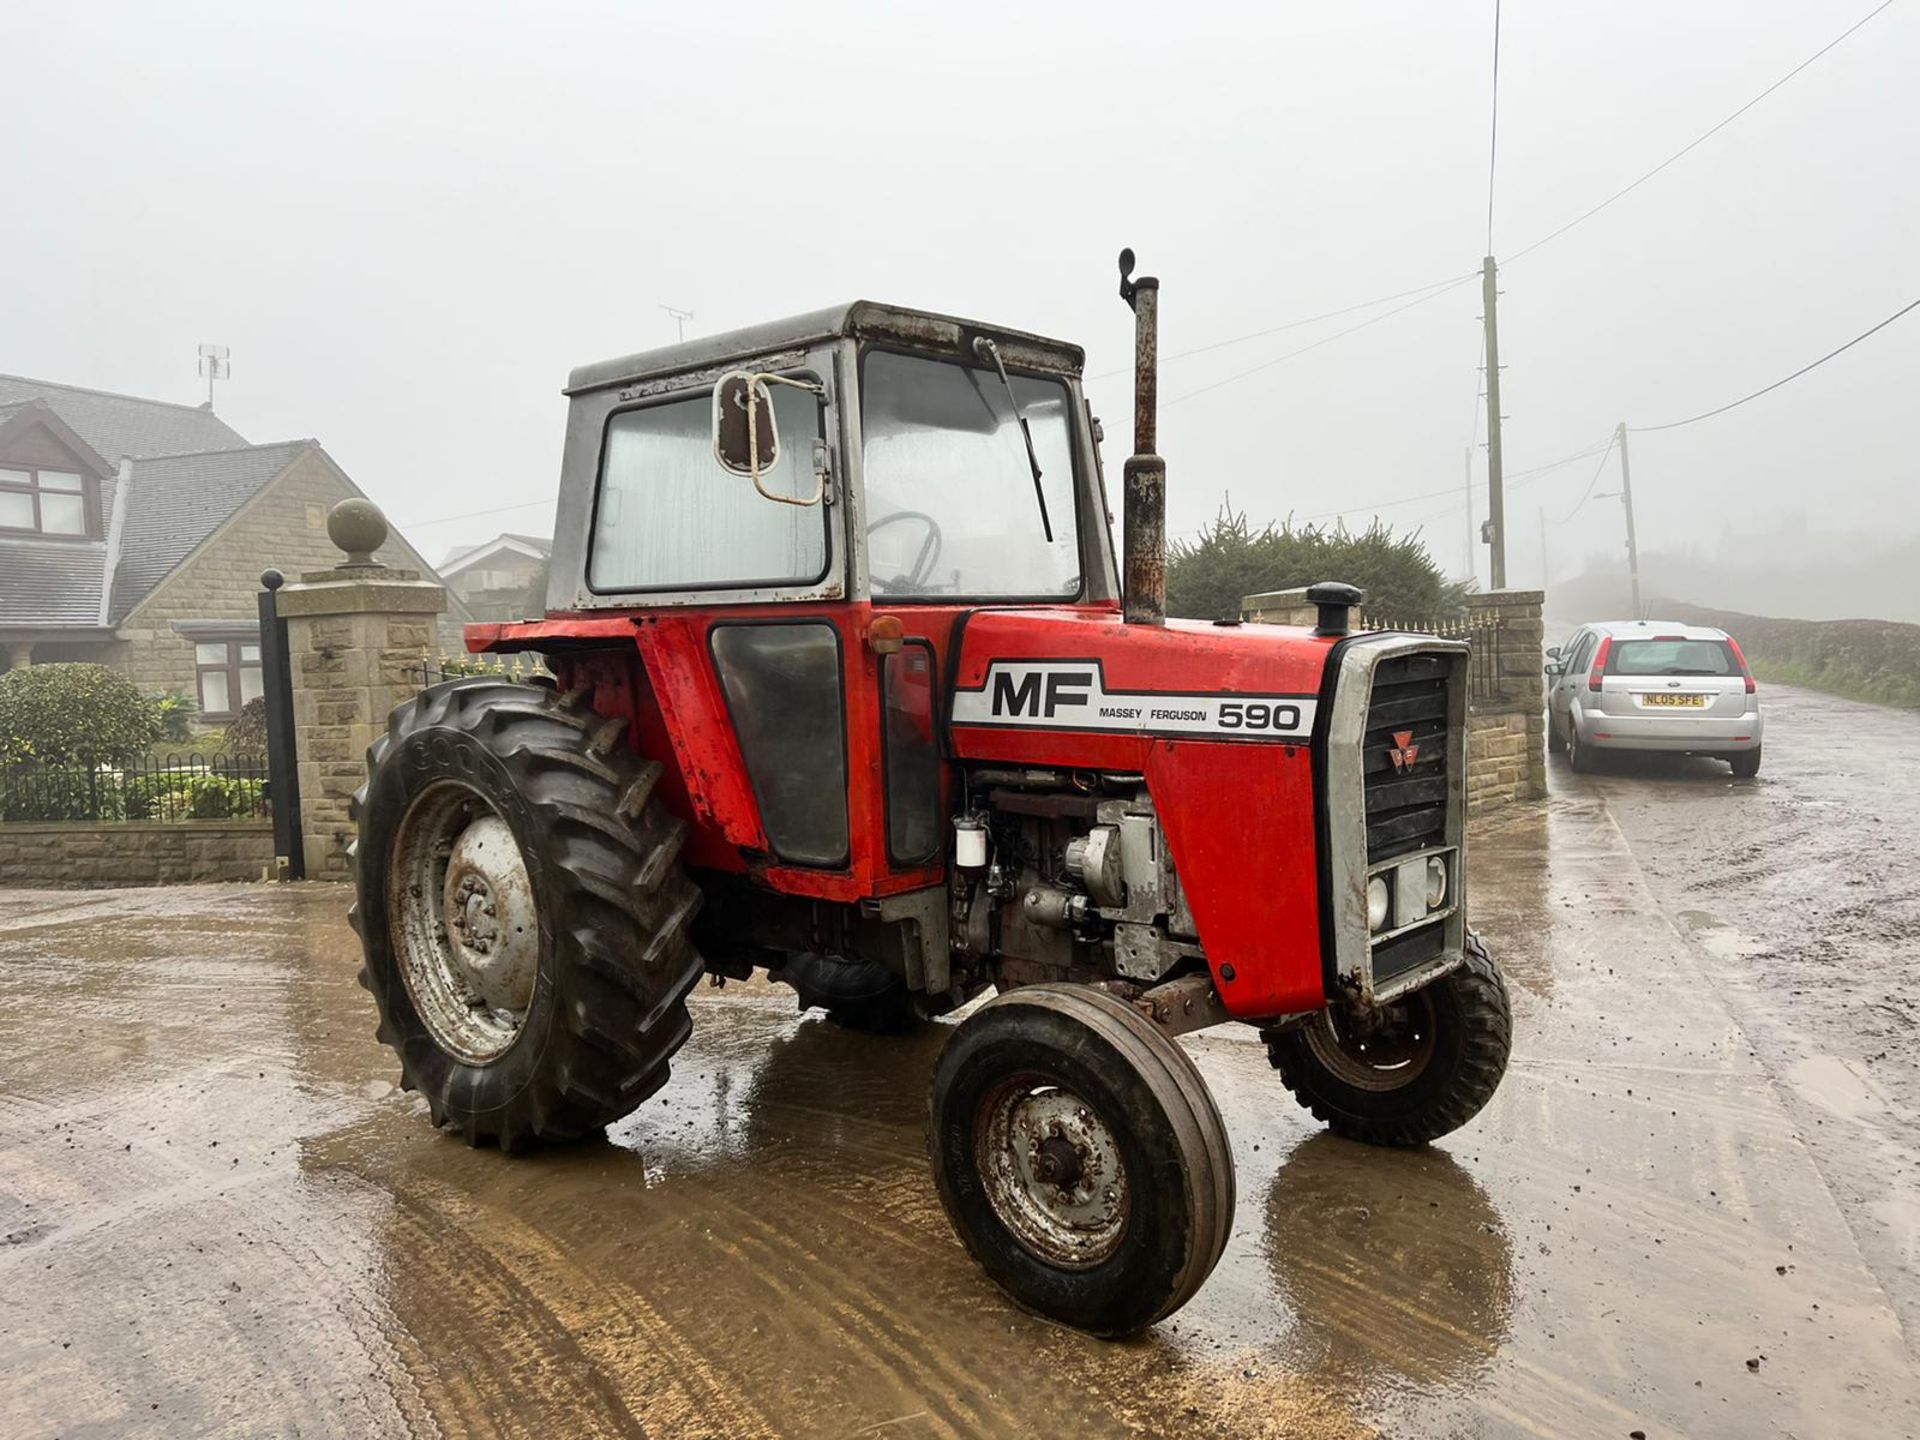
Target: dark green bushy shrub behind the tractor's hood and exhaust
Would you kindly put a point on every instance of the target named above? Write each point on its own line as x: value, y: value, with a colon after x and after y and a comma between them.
x: 1232, y: 560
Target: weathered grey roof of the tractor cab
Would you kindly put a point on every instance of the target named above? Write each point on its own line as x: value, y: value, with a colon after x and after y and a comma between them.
x: 861, y: 320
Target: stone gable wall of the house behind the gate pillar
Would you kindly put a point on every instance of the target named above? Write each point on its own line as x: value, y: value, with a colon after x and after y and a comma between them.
x: 285, y: 529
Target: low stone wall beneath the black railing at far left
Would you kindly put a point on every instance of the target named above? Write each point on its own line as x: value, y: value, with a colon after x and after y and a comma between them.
x: 87, y: 855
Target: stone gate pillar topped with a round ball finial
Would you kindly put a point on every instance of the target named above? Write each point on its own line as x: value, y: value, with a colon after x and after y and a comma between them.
x: 358, y: 638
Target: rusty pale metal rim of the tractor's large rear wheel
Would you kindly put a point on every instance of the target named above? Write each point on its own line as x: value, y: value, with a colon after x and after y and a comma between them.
x: 464, y: 921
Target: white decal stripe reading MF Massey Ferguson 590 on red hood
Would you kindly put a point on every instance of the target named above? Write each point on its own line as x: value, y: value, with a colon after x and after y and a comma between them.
x: 1072, y: 696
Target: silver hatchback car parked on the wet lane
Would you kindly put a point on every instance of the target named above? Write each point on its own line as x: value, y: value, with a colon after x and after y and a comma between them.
x: 1654, y: 686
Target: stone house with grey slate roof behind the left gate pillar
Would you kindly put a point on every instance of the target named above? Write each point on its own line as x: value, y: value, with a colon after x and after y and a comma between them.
x: 133, y: 535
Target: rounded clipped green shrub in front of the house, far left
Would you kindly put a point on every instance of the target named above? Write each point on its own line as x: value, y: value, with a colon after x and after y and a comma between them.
x: 74, y: 715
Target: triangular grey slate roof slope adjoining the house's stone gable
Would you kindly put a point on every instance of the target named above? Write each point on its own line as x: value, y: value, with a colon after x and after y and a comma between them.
x: 176, y: 502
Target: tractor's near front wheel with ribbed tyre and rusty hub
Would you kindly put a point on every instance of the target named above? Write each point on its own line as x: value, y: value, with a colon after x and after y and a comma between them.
x: 1080, y: 1159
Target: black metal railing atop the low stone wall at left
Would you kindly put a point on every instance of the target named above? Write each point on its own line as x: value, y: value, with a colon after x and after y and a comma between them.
x: 176, y: 788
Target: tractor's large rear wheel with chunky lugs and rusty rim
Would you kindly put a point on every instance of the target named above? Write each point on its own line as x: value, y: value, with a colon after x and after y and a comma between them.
x: 523, y: 913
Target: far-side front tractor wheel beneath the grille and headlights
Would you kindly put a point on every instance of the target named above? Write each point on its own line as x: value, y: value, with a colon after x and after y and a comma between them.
x: 1428, y: 1070
